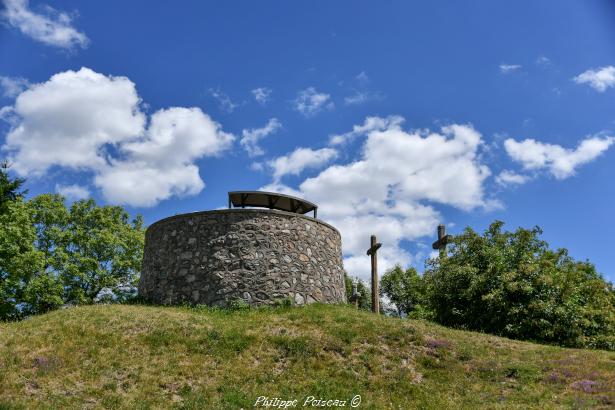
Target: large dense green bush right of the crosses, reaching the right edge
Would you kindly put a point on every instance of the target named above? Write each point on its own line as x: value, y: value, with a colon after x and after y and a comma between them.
x: 512, y: 284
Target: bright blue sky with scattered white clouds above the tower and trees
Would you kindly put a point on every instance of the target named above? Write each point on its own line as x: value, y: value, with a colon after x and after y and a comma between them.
x: 462, y: 113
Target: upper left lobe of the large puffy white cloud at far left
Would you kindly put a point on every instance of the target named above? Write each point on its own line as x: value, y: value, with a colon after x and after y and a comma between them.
x: 69, y: 119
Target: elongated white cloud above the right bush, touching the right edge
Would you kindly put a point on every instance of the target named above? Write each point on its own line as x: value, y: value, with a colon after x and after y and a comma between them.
x: 560, y: 162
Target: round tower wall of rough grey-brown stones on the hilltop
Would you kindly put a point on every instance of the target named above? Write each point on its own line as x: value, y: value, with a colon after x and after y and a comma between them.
x: 257, y: 255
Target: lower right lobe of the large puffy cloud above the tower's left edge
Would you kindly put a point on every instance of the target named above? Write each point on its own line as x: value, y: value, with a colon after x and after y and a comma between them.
x: 161, y: 163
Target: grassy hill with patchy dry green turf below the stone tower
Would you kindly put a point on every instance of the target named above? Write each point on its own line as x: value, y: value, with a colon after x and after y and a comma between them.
x: 160, y: 357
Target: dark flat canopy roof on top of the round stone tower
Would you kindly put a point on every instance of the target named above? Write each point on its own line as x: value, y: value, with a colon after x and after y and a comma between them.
x: 270, y: 200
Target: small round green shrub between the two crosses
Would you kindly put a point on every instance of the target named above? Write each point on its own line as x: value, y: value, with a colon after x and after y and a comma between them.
x: 404, y: 289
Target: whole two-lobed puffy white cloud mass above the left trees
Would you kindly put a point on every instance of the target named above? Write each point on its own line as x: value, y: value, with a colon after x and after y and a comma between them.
x: 88, y: 121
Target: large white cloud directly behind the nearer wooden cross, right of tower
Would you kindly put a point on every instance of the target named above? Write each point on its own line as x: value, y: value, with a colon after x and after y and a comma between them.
x: 390, y: 190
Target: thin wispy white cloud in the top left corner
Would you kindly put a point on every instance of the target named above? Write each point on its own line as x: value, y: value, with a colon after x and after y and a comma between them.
x: 53, y: 29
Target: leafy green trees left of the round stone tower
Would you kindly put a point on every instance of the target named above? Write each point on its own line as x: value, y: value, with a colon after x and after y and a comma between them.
x: 52, y: 255
